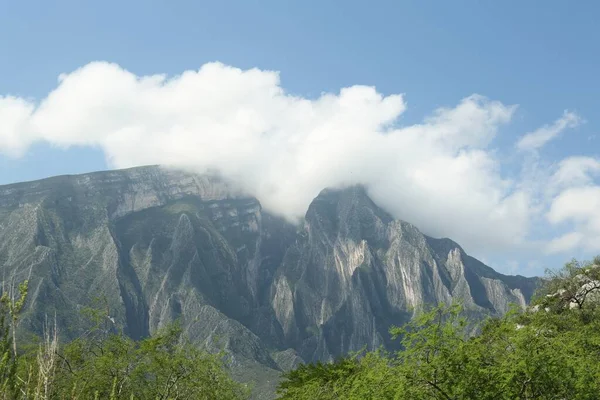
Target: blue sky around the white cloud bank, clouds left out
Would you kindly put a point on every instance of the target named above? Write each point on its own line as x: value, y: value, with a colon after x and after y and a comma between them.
x: 541, y: 56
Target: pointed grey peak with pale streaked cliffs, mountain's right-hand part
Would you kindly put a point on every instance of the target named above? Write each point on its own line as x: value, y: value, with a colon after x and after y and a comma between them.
x: 354, y: 271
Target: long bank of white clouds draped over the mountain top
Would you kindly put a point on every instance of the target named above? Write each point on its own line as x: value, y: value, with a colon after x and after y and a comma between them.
x: 441, y: 174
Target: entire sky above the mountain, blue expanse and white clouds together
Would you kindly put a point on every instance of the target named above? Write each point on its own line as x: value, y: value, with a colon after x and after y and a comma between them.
x: 474, y: 120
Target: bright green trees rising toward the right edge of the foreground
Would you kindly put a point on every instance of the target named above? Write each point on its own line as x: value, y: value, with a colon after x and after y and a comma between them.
x: 550, y: 351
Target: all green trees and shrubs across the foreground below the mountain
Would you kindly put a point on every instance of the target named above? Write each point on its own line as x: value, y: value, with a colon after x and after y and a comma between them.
x: 551, y: 350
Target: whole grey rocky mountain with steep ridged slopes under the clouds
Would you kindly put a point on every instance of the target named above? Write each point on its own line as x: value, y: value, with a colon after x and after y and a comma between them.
x: 154, y: 245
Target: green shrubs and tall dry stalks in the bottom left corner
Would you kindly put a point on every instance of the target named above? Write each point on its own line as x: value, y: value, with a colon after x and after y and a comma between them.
x: 105, y: 364
